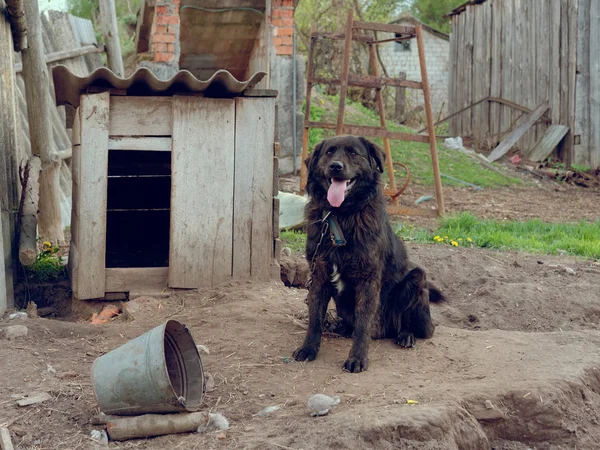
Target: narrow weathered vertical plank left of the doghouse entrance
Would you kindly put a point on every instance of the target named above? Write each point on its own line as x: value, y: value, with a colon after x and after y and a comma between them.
x: 92, y: 198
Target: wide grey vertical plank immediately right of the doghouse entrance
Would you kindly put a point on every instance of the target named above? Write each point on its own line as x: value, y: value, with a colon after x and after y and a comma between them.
x: 201, y: 191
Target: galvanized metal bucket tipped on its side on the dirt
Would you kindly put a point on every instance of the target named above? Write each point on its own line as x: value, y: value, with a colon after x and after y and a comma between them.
x: 157, y: 372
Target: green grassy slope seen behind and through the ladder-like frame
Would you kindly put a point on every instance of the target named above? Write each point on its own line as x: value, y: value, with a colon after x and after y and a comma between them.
x: 415, y: 155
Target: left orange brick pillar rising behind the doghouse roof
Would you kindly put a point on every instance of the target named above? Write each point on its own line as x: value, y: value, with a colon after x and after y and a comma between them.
x: 164, y: 36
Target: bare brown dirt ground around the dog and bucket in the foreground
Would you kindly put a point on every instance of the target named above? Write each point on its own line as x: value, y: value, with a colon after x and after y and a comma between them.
x: 521, y: 334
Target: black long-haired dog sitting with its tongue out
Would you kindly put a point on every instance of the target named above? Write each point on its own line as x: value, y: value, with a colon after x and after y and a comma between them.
x: 356, y: 258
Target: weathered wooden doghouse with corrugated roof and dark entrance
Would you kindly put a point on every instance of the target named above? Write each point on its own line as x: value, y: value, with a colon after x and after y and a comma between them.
x: 171, y: 188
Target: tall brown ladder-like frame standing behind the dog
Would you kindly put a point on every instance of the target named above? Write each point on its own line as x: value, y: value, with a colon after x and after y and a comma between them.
x: 377, y: 82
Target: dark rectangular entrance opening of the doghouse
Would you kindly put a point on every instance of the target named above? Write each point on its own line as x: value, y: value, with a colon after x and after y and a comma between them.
x: 138, y: 208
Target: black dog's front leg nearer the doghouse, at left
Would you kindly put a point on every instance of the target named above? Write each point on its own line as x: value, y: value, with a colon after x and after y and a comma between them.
x: 319, y: 295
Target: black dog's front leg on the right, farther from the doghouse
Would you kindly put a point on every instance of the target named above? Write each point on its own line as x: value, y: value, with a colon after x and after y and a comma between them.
x: 367, y: 298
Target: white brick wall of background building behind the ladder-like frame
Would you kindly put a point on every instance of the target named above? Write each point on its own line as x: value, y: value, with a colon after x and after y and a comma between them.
x: 437, y: 56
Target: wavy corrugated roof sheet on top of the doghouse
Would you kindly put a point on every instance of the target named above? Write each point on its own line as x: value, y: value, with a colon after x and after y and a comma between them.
x: 68, y: 86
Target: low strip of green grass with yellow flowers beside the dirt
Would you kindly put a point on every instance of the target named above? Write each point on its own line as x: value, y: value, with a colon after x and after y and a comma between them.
x: 465, y: 230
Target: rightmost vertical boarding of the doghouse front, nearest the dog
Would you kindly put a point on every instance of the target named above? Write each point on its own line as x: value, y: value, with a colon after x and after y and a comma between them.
x: 253, y: 197
